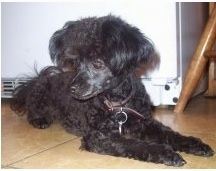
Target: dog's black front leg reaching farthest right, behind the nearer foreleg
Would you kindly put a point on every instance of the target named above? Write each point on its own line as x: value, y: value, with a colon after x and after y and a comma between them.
x: 163, y: 134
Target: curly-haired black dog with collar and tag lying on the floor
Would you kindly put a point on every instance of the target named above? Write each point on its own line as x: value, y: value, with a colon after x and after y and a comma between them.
x: 102, y: 100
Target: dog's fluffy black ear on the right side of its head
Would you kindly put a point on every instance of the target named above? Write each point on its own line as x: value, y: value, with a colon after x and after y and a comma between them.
x: 126, y: 47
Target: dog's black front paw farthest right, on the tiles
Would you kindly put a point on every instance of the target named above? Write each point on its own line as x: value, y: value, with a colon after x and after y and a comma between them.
x: 197, y: 147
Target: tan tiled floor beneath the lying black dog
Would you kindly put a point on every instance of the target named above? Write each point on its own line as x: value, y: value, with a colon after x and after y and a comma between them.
x: 26, y: 147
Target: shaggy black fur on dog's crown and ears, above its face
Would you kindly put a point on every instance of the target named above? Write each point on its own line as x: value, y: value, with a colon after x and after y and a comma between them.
x: 110, y: 39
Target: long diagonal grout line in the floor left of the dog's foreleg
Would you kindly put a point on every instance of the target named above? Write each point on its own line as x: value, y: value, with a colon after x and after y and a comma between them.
x: 9, y: 165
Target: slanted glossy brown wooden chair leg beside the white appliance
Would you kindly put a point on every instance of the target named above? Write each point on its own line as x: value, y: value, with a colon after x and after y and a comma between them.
x: 198, y: 63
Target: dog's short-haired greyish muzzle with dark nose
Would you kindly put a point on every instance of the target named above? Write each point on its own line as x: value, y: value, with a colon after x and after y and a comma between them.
x: 90, y: 81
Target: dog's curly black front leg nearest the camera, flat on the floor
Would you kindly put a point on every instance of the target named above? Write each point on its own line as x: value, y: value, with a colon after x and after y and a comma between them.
x: 117, y: 145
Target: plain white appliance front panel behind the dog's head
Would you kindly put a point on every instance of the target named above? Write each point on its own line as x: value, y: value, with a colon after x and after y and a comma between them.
x: 27, y: 27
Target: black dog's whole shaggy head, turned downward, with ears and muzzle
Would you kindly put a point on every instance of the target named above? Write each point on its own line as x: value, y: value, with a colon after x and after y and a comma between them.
x: 102, y: 50
